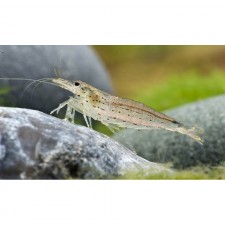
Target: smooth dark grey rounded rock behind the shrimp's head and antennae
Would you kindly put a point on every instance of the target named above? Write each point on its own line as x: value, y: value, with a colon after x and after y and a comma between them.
x: 36, y: 62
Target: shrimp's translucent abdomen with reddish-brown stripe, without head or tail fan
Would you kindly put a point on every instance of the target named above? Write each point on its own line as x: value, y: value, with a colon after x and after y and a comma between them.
x: 130, y: 114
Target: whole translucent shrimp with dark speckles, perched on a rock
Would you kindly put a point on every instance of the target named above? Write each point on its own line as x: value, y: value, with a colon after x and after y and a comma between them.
x: 116, y: 112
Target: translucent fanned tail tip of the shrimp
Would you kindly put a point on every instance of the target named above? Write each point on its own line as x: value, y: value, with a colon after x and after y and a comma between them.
x: 194, y: 132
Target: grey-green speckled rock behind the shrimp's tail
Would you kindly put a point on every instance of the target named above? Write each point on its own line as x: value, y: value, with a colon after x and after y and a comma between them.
x: 165, y: 146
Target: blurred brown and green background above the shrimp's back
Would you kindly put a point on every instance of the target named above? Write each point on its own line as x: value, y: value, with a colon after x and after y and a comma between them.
x: 165, y: 76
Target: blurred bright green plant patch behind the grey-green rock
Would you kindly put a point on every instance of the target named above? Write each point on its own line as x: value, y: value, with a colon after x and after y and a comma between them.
x: 181, y: 89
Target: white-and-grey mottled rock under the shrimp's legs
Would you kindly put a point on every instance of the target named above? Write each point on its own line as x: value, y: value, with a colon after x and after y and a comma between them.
x: 38, y: 146
